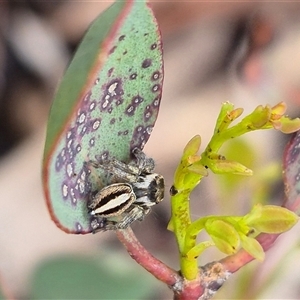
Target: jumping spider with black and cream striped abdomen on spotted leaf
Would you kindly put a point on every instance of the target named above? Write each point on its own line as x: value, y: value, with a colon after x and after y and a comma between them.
x: 119, y: 204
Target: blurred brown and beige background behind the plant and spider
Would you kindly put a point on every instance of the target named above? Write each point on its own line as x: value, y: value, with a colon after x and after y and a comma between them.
x: 245, y: 53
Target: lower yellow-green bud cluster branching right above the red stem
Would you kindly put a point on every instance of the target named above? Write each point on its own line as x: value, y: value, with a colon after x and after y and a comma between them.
x: 228, y: 232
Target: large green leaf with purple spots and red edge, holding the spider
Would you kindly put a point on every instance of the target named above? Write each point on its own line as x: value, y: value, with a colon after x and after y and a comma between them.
x: 106, y: 105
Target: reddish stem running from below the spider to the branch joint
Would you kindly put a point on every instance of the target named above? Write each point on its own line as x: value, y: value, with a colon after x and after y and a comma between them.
x: 157, y: 268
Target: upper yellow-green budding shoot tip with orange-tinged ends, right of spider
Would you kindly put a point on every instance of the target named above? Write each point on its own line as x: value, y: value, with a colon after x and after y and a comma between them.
x: 263, y: 117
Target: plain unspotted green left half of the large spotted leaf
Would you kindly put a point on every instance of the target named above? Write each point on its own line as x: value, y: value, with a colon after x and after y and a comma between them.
x: 78, y: 73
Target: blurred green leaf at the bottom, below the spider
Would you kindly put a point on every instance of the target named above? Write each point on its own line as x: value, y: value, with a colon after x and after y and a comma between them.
x: 79, y: 277
